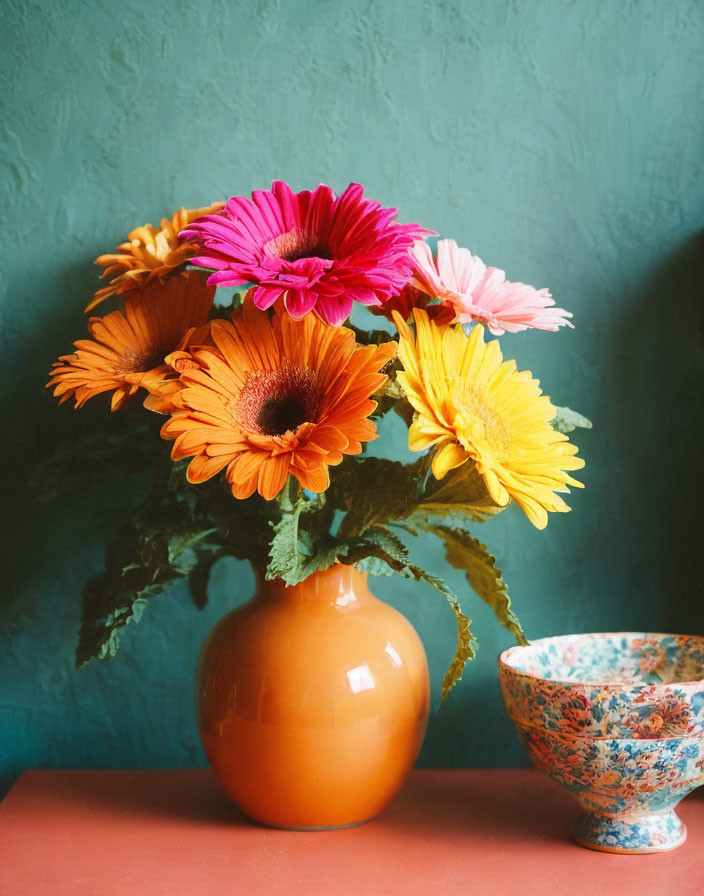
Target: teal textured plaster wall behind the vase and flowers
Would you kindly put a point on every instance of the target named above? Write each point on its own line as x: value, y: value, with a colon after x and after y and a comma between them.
x: 561, y: 141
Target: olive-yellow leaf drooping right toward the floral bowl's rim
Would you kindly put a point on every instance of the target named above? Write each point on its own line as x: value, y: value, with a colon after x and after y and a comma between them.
x: 471, y: 556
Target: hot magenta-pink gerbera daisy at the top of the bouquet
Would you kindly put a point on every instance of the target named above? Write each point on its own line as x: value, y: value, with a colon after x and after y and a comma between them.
x: 317, y: 250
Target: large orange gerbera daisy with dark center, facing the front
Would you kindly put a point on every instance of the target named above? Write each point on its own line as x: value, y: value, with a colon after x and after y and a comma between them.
x: 273, y: 397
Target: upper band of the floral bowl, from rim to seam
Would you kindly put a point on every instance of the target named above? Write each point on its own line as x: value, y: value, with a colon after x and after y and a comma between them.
x: 635, y: 686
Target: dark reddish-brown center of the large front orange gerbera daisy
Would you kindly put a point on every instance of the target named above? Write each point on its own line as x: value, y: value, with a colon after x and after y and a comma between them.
x: 274, y: 402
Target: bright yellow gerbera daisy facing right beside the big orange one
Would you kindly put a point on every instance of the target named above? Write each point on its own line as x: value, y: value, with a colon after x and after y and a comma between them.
x: 474, y: 406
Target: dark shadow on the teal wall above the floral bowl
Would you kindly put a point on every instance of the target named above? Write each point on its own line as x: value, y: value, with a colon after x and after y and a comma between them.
x: 665, y: 336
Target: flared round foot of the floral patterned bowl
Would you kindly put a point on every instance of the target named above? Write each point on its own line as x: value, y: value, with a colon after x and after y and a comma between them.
x: 653, y: 833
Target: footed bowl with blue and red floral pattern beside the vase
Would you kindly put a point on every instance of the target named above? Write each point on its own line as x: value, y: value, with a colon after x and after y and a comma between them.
x: 619, y: 720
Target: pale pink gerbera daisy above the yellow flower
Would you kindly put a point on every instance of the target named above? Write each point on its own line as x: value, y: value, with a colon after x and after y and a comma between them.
x: 483, y: 294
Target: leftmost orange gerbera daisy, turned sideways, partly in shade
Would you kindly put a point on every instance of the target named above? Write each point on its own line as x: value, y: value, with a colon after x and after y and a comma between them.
x: 127, y: 350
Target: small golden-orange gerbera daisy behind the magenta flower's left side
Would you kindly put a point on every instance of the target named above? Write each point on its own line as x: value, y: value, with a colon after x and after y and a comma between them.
x: 150, y: 253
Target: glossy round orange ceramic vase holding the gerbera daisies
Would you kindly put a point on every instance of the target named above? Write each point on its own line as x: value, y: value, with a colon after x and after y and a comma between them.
x: 313, y: 701
